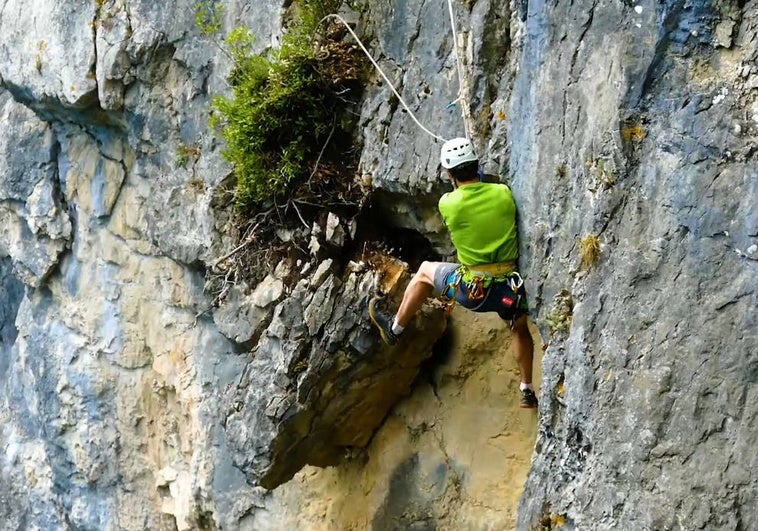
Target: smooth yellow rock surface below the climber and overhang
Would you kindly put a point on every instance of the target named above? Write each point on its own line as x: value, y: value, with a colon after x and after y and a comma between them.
x: 453, y: 455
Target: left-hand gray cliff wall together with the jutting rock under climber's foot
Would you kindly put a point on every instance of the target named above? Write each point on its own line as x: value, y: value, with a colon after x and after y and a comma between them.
x: 122, y: 401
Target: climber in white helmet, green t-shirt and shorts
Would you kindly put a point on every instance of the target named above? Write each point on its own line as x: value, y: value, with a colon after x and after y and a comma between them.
x: 481, y: 218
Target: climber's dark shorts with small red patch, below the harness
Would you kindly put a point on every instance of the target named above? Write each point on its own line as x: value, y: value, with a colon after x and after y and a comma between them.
x: 495, y: 299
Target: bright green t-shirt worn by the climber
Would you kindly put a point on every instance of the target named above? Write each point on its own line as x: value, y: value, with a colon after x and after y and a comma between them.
x: 481, y: 218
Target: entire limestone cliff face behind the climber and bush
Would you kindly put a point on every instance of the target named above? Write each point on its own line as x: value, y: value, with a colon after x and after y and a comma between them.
x: 130, y: 403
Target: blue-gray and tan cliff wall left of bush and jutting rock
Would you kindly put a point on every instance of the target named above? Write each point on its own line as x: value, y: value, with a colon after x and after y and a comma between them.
x: 110, y: 367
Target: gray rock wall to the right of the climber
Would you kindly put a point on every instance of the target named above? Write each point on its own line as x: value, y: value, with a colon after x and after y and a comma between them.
x: 637, y: 124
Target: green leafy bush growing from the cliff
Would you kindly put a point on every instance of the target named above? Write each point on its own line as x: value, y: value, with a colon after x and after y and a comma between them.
x: 281, y: 111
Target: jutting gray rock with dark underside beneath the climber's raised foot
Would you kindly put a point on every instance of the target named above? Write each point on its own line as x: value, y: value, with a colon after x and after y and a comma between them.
x: 318, y: 383
